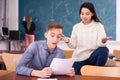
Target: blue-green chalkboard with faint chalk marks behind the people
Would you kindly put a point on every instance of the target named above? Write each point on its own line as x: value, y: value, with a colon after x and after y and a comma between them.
x: 65, y: 12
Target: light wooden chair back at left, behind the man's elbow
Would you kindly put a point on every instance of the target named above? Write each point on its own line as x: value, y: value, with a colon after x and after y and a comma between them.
x: 11, y: 60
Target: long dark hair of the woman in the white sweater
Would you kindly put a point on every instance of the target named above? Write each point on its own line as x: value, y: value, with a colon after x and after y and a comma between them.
x: 90, y: 6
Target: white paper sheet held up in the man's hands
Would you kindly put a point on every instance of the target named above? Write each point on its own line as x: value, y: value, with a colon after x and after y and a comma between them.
x: 61, y: 66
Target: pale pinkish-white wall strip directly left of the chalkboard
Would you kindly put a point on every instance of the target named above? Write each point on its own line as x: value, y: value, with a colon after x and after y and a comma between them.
x: 12, y: 14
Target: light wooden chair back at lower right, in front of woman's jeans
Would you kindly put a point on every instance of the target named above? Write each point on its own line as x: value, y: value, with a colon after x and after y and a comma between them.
x: 90, y: 70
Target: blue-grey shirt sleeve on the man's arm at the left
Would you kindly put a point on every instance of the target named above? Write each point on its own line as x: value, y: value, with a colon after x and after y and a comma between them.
x: 22, y: 67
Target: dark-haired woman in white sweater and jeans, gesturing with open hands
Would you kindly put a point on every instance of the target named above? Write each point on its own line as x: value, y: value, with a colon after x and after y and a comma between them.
x: 88, y: 39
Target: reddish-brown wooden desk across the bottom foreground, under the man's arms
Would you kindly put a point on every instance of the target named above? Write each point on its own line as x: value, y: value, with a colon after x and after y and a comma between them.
x: 8, y: 75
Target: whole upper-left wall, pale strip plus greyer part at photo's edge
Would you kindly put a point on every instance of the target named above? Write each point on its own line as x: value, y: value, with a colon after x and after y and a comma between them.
x: 8, y: 15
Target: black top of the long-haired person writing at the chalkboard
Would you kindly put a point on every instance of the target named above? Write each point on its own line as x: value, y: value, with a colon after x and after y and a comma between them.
x: 32, y: 27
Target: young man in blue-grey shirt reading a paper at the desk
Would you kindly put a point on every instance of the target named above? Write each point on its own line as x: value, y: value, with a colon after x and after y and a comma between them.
x: 38, y: 56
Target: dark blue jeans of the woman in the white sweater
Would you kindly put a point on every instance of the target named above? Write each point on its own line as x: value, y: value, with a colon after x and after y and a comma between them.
x: 98, y: 57
